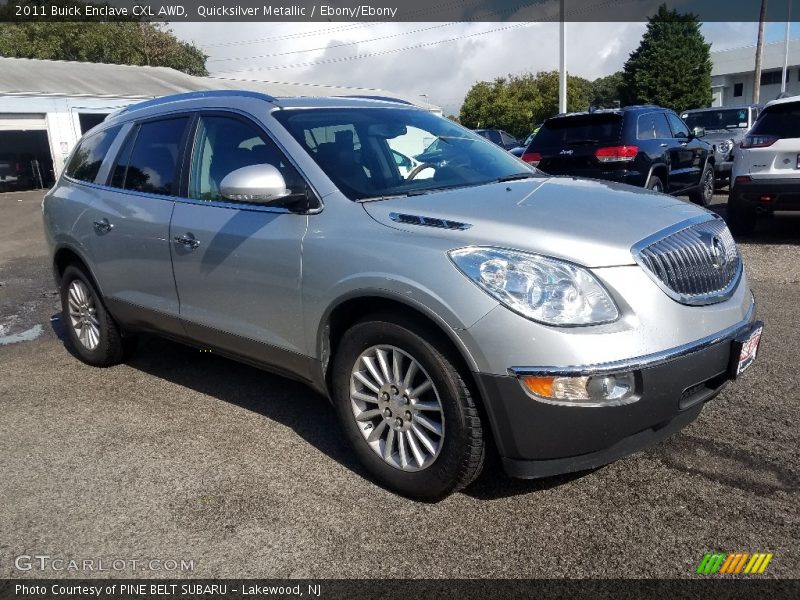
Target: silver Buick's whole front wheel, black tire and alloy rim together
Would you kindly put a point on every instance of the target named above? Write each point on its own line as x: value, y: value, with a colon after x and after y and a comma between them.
x: 406, y: 410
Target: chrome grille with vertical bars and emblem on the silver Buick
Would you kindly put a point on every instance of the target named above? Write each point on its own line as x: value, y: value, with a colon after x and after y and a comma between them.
x: 697, y: 264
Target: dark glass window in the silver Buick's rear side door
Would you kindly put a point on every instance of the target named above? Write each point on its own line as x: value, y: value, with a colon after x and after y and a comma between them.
x: 149, y: 160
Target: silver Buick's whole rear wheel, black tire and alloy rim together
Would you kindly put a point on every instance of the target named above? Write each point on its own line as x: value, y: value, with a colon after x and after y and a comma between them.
x: 92, y: 332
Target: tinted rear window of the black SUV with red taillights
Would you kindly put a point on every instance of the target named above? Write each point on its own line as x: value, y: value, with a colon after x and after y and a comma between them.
x: 597, y: 128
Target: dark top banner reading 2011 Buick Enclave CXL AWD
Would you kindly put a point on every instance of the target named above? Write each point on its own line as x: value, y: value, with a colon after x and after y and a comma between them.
x: 381, y: 10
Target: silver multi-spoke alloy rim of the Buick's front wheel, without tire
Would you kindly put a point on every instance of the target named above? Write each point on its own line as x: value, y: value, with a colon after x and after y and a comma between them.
x: 397, y: 407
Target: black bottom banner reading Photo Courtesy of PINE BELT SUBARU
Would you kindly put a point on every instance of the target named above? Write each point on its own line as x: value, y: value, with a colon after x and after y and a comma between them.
x: 709, y: 587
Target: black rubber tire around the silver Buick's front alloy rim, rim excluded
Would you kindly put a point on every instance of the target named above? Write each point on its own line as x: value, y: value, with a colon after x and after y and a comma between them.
x: 463, y: 448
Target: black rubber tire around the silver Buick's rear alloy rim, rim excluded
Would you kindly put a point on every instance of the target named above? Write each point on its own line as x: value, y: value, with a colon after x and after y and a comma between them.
x: 112, y: 348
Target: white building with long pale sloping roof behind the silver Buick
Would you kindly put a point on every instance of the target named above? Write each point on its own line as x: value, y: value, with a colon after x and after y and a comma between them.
x: 45, y: 106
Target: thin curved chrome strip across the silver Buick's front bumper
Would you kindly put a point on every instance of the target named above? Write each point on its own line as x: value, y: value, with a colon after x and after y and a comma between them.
x: 641, y: 362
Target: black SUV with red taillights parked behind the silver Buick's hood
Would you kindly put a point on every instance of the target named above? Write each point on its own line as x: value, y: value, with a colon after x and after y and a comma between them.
x: 646, y: 146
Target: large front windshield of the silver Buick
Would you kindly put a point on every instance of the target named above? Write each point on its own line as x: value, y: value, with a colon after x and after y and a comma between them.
x: 358, y: 147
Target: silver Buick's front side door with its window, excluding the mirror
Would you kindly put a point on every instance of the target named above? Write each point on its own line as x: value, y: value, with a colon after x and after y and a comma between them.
x: 238, y: 265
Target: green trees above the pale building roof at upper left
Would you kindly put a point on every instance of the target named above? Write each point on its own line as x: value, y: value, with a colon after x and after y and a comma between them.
x: 120, y: 42
